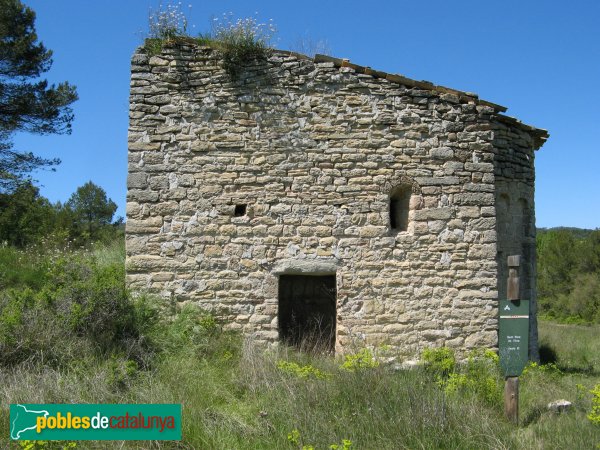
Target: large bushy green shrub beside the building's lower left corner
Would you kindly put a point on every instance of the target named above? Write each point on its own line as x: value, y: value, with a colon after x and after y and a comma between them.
x: 82, y: 306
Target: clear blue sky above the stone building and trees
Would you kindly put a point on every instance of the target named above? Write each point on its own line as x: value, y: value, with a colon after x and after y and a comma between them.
x: 540, y: 58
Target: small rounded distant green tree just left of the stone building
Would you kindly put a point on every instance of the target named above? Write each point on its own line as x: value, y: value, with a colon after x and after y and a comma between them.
x: 92, y: 211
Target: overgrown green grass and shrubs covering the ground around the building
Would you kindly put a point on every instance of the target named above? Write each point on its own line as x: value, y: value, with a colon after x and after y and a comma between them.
x: 238, y: 396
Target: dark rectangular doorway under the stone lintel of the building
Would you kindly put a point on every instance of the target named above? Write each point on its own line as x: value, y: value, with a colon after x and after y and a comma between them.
x: 307, y: 311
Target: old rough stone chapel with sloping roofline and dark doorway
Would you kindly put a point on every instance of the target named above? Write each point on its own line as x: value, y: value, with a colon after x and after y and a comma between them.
x: 312, y: 195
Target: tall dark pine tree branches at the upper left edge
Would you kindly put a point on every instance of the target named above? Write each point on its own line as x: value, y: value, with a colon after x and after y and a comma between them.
x: 26, y: 102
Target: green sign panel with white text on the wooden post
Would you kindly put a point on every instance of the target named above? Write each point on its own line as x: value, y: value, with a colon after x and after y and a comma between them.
x: 513, y: 339
